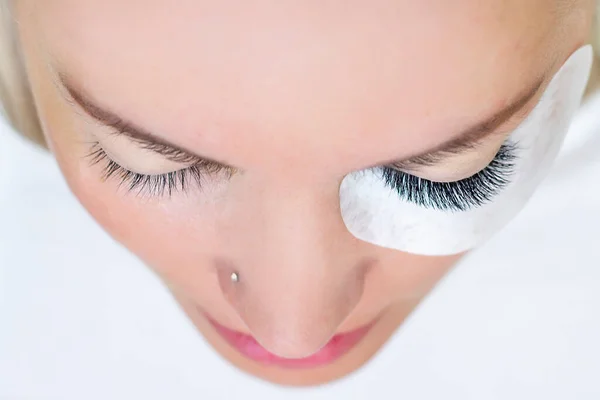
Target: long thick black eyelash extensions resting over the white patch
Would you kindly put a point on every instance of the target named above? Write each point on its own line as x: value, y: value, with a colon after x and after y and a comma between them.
x: 461, y: 195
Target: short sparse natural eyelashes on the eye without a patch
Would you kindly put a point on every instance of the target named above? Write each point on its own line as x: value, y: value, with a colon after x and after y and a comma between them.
x: 154, y: 185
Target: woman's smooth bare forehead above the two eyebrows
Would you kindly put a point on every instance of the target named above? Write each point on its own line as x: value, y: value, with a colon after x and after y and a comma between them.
x: 338, y: 80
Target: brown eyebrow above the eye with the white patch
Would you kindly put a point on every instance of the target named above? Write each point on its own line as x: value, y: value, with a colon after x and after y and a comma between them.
x: 468, y: 139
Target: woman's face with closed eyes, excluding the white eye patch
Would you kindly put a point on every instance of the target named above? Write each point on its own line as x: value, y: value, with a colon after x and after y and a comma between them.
x: 211, y: 137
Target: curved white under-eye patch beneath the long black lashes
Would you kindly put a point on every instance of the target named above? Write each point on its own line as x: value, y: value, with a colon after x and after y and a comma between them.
x: 406, y: 218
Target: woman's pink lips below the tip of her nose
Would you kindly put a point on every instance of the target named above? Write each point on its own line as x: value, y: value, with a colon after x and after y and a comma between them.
x: 334, y: 349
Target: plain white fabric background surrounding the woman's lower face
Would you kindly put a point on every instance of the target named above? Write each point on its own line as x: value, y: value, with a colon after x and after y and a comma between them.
x: 81, y: 318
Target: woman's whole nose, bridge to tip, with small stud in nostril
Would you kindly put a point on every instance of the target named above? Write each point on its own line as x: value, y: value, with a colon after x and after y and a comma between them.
x: 301, y: 273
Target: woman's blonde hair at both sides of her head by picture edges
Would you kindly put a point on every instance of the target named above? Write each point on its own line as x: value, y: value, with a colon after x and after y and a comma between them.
x: 16, y: 99
